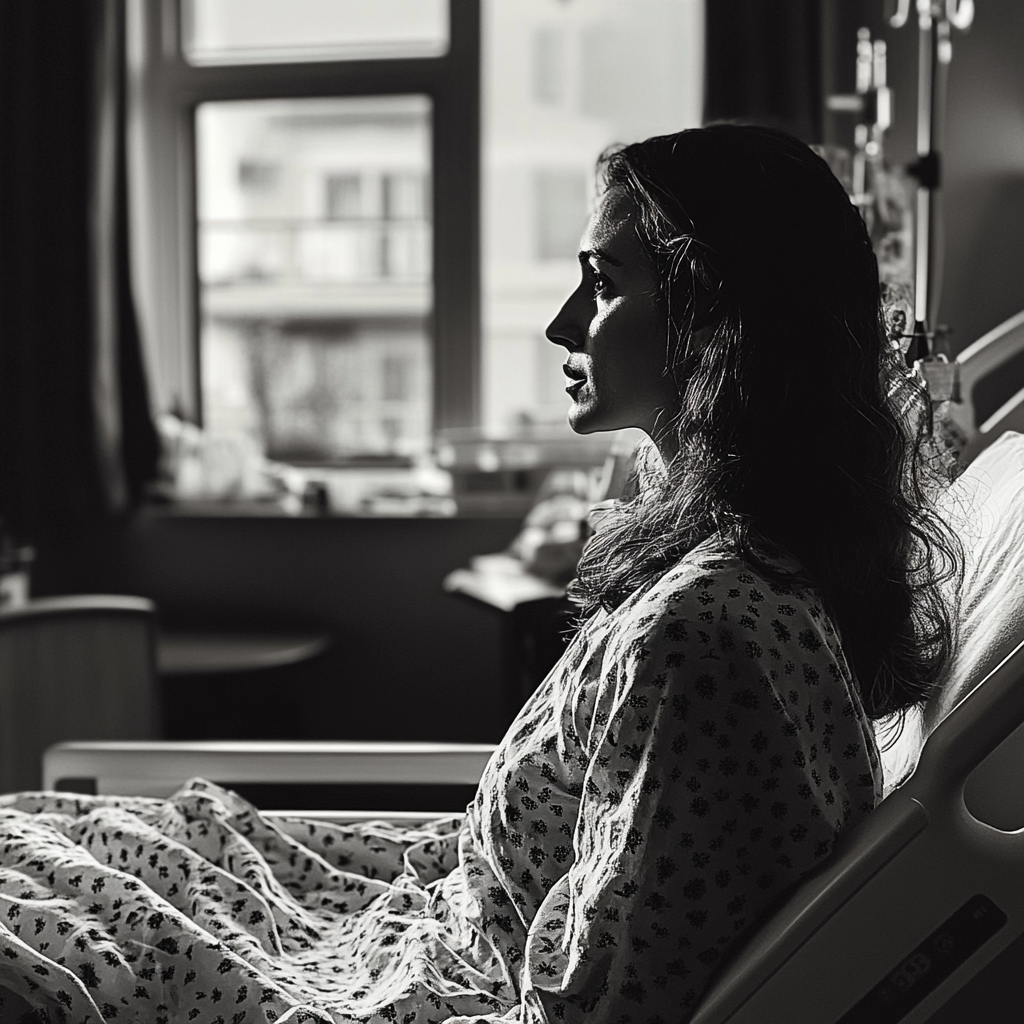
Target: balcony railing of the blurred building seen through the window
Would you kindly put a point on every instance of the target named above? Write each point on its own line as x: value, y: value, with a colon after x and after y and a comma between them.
x: 315, y: 252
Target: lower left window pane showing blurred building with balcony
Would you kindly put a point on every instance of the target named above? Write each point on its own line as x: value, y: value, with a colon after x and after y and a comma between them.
x: 315, y: 269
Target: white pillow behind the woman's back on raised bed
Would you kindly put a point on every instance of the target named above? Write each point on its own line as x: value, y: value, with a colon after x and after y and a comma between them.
x: 986, y: 506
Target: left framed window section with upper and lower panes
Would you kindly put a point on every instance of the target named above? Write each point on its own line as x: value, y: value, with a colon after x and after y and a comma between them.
x: 297, y: 166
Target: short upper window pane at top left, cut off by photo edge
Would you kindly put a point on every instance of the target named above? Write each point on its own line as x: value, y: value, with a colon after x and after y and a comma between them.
x: 261, y: 31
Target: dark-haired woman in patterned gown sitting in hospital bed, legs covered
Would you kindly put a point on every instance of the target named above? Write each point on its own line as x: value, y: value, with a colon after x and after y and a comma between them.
x: 770, y: 592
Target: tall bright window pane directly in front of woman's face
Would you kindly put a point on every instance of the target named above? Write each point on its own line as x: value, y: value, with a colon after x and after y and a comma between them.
x: 562, y: 82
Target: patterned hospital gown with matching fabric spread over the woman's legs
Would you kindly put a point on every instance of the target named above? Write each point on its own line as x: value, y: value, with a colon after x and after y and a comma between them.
x: 695, y: 752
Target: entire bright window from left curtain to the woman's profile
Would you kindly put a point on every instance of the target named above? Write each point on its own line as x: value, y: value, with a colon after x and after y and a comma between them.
x: 361, y: 215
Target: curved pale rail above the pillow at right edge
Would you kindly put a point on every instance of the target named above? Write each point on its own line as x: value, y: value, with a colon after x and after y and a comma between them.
x: 975, y: 367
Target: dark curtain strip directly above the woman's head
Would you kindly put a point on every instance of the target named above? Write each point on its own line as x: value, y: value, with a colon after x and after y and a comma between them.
x: 763, y: 64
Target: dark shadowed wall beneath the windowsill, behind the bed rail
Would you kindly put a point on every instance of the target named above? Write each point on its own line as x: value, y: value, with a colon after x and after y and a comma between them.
x: 408, y: 661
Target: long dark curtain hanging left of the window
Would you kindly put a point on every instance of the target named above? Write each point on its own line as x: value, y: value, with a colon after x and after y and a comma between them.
x: 77, y: 441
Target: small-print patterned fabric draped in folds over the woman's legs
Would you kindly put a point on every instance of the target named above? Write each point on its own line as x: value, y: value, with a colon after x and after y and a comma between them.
x: 198, y: 909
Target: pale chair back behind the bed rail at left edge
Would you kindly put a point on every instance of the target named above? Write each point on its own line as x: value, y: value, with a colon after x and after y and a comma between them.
x: 73, y: 667
